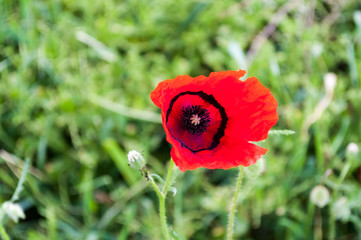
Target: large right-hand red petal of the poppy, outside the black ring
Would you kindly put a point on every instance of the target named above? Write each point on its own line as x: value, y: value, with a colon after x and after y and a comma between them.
x: 251, y: 108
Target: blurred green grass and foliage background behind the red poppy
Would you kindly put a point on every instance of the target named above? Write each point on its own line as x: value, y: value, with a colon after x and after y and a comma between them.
x: 75, y: 78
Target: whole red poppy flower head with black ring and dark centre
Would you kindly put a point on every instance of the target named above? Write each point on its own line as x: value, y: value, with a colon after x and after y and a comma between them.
x: 210, y: 121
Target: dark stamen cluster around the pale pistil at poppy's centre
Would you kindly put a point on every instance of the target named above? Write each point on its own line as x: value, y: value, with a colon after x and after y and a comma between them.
x: 195, y: 119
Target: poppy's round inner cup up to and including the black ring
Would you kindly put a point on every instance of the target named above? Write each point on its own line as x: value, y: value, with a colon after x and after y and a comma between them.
x: 196, y: 127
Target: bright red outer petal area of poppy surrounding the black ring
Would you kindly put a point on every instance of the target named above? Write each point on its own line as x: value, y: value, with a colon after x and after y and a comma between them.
x: 251, y: 112
